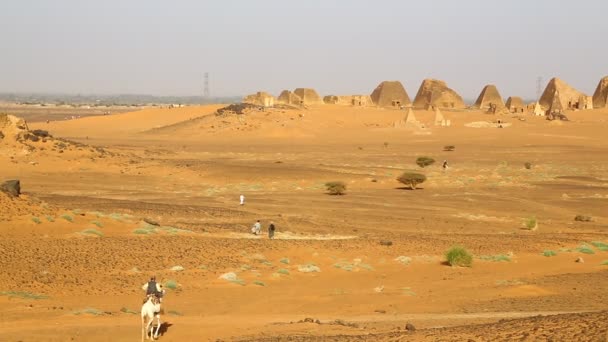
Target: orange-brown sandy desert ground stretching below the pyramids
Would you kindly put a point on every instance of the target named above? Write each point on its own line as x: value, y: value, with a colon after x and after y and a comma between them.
x: 76, y: 249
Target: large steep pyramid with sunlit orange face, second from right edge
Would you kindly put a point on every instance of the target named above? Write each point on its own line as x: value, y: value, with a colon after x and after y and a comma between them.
x: 559, y: 96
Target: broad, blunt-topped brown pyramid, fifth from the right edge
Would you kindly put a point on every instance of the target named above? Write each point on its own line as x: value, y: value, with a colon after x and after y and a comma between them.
x: 435, y: 93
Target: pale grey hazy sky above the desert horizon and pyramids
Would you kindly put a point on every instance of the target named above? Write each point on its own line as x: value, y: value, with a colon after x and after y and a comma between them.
x: 163, y: 47
